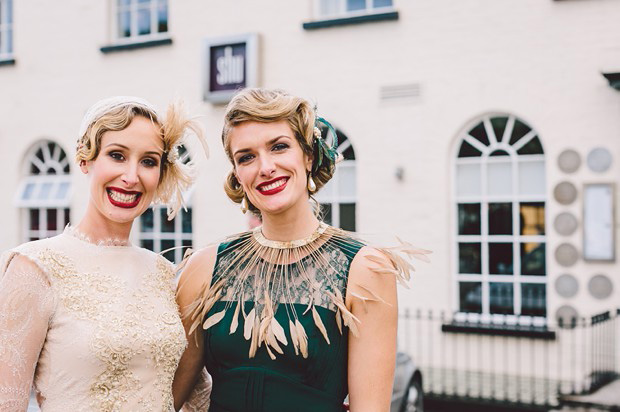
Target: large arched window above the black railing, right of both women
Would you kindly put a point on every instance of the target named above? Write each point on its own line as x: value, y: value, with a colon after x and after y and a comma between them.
x: 499, y: 212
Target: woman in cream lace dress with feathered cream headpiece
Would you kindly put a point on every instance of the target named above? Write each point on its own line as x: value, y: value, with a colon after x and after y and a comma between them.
x: 85, y: 316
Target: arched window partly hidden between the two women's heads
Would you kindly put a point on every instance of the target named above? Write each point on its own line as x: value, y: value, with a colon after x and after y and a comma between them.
x: 156, y: 233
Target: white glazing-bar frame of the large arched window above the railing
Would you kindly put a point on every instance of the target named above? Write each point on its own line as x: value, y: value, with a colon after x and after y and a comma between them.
x: 517, y: 279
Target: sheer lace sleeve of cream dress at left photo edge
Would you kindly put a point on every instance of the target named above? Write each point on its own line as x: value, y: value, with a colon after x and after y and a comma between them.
x: 26, y: 305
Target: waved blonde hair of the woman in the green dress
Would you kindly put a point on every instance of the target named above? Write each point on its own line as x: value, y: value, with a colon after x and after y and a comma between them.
x: 267, y: 106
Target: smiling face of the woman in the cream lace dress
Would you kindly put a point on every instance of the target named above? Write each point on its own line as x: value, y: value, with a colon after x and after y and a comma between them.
x: 125, y: 175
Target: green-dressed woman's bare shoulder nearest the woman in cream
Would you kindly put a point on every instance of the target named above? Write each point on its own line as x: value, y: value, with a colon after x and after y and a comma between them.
x: 196, y: 274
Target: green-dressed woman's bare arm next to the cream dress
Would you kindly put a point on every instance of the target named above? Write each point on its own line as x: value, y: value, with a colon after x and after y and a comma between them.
x: 195, y: 276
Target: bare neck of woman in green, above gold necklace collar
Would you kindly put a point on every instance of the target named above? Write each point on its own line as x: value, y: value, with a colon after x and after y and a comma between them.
x: 295, y: 223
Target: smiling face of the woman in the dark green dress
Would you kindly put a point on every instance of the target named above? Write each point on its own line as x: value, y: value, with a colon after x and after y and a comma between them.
x: 270, y: 165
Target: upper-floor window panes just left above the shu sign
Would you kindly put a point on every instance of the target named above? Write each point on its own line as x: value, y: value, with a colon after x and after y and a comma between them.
x: 139, y: 20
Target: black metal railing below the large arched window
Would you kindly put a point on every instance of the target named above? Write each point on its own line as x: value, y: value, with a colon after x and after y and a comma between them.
x: 511, y: 360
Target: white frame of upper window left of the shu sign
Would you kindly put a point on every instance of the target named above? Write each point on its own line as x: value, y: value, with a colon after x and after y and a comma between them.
x: 134, y: 7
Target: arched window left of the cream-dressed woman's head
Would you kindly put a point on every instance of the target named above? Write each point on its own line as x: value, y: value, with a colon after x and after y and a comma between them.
x: 44, y: 194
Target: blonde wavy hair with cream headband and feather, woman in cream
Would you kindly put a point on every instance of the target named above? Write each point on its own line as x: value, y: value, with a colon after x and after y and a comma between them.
x: 116, y: 113
